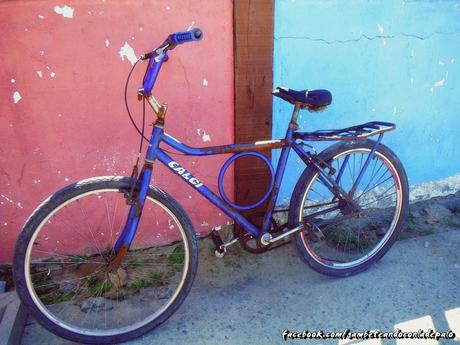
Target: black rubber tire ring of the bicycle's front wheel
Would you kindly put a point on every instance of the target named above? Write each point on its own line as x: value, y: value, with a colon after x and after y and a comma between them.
x: 123, y: 184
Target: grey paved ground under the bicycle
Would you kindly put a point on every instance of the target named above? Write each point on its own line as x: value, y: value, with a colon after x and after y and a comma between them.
x: 251, y: 299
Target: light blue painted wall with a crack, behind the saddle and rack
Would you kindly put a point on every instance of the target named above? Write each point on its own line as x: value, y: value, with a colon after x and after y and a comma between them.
x: 396, y: 61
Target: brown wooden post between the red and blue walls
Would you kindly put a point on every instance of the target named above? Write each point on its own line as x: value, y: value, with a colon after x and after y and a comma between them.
x: 253, y: 56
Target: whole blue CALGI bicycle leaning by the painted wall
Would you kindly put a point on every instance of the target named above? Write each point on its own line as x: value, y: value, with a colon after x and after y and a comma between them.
x: 108, y: 259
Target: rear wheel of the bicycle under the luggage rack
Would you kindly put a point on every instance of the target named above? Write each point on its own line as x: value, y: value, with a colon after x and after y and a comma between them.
x: 349, y: 239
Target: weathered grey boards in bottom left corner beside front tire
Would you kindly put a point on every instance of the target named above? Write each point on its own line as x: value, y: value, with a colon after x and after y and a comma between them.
x: 13, y: 316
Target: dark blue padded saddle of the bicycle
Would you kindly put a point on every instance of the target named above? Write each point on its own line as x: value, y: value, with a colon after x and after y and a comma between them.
x: 313, y: 100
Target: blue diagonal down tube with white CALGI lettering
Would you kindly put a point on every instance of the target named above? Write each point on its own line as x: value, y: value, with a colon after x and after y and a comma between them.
x: 208, y: 194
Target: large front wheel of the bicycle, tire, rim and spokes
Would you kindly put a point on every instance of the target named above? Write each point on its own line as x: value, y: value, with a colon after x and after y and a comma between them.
x: 62, y: 258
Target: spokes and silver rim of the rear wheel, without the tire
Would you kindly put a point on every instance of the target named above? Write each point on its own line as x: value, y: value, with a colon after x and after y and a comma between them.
x: 351, y: 235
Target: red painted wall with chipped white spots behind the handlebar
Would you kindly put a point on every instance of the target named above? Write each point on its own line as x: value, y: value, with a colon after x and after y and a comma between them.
x: 71, y: 123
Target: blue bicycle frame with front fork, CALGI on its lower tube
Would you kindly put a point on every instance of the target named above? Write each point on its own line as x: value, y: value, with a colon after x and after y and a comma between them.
x: 155, y: 152
